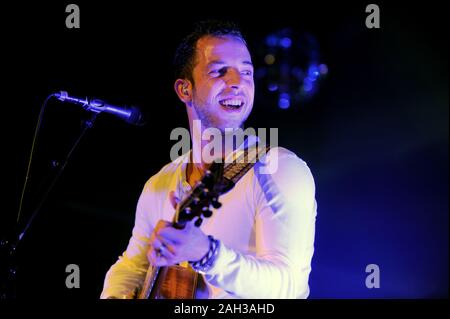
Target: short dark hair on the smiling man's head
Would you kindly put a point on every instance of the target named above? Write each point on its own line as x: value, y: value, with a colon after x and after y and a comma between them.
x: 184, y: 61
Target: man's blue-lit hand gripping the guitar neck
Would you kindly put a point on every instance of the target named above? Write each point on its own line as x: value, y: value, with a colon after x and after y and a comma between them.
x: 169, y: 246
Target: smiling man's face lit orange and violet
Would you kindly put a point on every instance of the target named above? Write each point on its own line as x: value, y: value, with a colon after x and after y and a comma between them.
x: 223, y: 82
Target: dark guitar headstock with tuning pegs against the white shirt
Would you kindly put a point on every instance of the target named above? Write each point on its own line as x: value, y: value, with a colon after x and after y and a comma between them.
x: 203, y: 197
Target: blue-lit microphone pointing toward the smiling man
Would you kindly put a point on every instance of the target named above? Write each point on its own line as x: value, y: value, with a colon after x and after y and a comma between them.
x: 130, y: 114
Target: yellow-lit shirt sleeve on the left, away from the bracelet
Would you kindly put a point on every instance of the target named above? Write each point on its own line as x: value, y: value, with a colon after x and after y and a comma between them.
x: 126, y: 276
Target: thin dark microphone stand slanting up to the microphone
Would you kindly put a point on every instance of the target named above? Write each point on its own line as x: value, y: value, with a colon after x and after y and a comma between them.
x: 9, y: 248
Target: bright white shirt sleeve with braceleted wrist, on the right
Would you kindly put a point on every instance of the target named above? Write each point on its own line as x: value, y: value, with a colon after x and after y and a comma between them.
x: 285, y: 229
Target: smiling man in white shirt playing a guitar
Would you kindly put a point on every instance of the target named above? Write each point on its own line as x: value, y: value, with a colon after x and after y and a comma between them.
x: 260, y: 242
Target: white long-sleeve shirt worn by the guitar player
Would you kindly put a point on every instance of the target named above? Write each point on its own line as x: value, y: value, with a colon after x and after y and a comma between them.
x: 266, y: 226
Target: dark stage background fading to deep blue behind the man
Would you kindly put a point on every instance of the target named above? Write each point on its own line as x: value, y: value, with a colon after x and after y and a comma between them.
x: 375, y: 136
